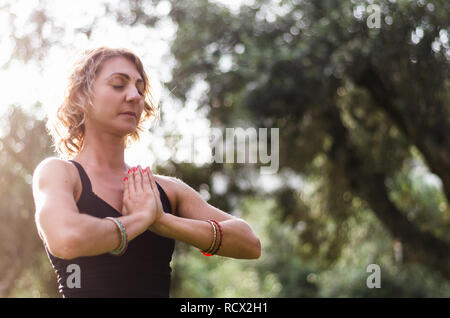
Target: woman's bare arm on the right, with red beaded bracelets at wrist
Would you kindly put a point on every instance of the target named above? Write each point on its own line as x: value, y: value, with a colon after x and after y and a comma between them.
x: 190, y: 227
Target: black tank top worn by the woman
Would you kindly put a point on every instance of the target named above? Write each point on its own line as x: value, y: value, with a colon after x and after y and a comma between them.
x: 143, y: 271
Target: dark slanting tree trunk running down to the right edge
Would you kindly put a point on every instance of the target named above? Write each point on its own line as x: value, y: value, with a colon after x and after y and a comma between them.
x: 419, y: 246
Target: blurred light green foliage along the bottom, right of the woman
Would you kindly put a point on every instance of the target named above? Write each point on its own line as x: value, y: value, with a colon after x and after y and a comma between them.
x: 283, y: 272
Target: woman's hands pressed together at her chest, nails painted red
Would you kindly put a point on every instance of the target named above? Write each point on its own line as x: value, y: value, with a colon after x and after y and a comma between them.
x: 140, y: 197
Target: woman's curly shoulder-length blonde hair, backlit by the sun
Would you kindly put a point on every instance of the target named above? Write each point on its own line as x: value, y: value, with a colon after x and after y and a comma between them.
x: 67, y: 125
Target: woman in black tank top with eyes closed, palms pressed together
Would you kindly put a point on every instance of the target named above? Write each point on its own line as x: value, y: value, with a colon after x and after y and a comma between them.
x: 108, y: 228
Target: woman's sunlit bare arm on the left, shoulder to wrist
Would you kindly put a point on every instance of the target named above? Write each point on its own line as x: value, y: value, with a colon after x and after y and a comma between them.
x: 66, y: 232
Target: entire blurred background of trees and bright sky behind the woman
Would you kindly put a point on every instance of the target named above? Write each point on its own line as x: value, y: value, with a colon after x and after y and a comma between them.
x: 358, y: 89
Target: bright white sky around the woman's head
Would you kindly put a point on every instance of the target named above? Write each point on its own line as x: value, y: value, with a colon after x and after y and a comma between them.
x: 48, y: 85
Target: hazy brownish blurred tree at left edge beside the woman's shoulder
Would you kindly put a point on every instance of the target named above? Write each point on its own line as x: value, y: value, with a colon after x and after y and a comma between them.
x: 22, y: 146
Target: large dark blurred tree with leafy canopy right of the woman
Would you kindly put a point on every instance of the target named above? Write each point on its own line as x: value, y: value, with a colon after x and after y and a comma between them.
x: 351, y: 101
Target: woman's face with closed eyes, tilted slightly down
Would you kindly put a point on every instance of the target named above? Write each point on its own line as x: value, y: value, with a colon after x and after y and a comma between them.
x: 118, y: 89
